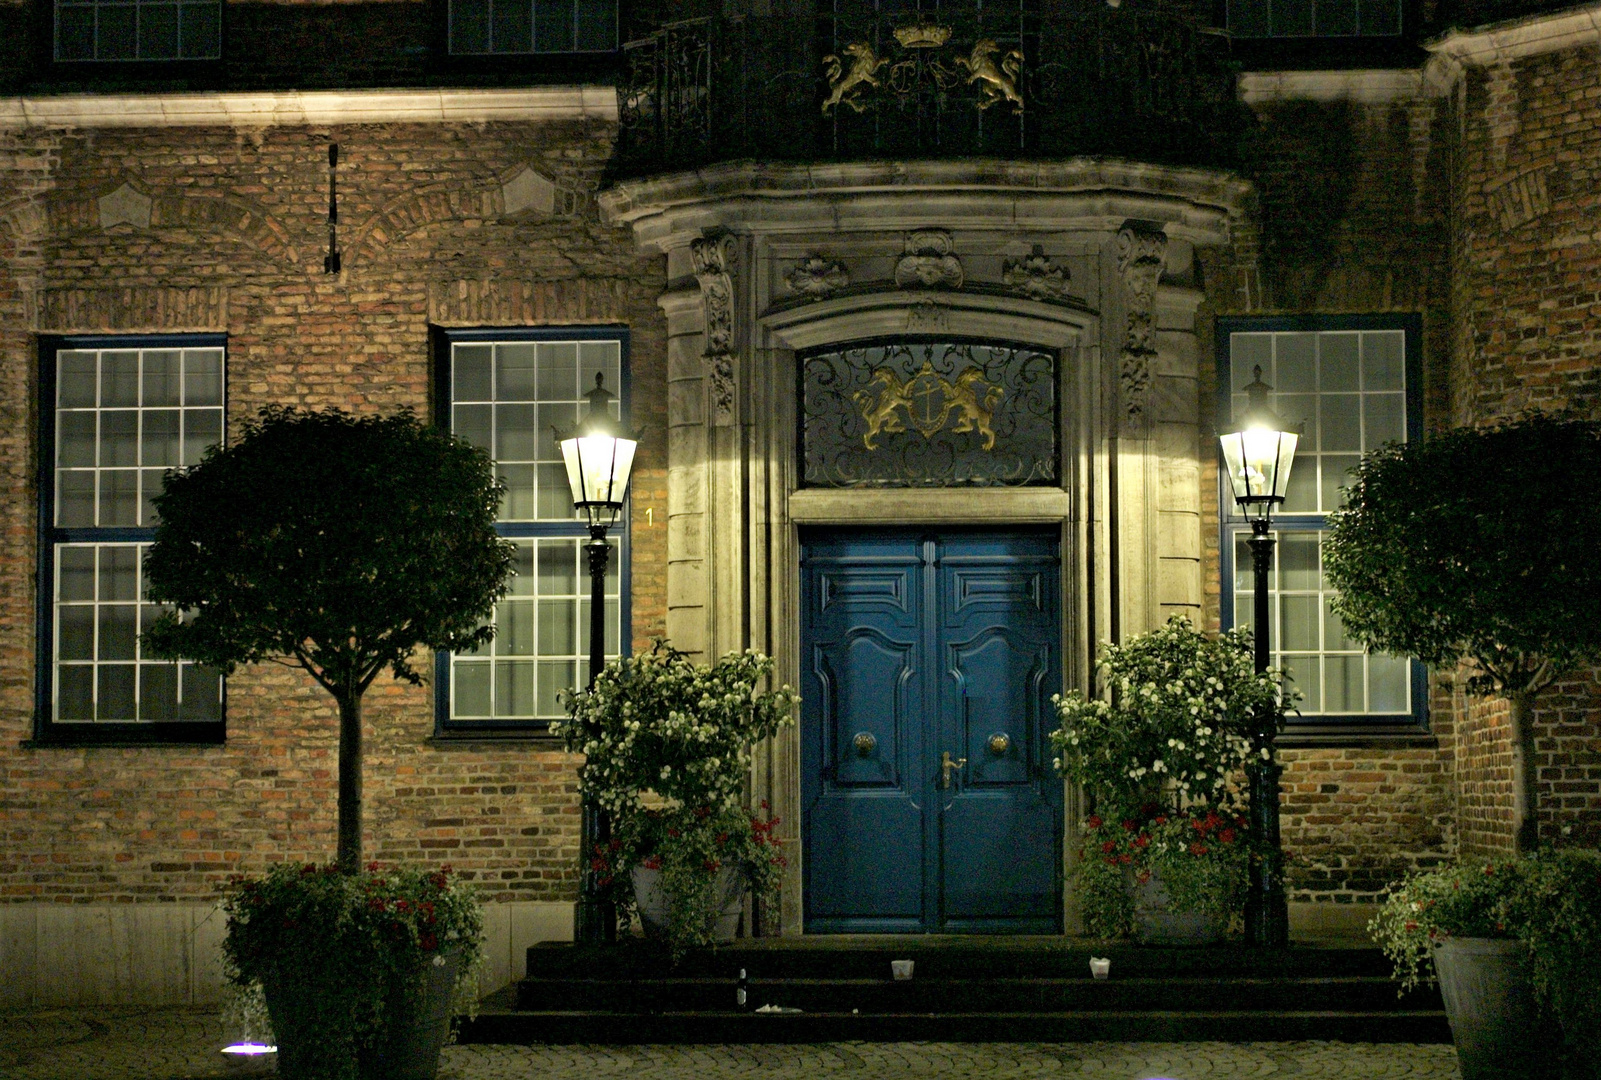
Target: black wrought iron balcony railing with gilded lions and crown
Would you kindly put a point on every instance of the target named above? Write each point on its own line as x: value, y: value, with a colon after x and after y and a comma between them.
x: 1085, y: 79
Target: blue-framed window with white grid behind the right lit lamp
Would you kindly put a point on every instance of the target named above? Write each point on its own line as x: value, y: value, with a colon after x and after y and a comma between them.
x: 1355, y: 382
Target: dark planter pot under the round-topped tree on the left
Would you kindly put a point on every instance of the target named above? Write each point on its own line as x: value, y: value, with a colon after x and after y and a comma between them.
x: 417, y: 1028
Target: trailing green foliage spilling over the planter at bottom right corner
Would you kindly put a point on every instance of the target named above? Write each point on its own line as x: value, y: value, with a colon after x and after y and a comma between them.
x: 1551, y: 902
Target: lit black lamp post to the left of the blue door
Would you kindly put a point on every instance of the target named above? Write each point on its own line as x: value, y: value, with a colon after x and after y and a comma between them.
x: 600, y: 455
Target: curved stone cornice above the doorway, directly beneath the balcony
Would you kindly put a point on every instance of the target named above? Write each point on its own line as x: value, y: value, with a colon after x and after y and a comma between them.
x: 668, y: 212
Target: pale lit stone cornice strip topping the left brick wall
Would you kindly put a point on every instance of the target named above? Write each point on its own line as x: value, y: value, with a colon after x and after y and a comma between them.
x: 297, y: 108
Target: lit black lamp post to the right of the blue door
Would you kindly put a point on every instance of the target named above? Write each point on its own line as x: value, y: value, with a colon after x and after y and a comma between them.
x: 1258, y: 455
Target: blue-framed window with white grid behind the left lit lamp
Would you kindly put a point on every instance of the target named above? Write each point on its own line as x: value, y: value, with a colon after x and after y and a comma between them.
x: 505, y: 391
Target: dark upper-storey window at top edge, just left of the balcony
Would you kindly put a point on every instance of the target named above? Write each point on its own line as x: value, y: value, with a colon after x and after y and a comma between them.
x: 532, y: 26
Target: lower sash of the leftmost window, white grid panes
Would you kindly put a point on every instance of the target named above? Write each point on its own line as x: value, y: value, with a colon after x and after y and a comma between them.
x: 102, y: 673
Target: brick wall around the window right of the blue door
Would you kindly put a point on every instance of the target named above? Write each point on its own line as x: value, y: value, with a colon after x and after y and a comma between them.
x: 1350, y: 220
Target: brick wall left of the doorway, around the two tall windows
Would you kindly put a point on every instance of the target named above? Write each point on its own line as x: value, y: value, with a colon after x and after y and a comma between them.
x: 236, y: 241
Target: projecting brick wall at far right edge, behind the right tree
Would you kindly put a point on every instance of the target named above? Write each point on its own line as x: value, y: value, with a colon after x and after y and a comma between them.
x: 1528, y: 337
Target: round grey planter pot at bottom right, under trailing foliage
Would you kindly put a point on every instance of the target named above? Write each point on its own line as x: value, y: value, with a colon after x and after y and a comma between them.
x: 1490, y: 1002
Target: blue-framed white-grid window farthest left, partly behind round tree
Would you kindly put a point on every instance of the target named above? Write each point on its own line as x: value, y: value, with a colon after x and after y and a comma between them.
x: 116, y: 414
